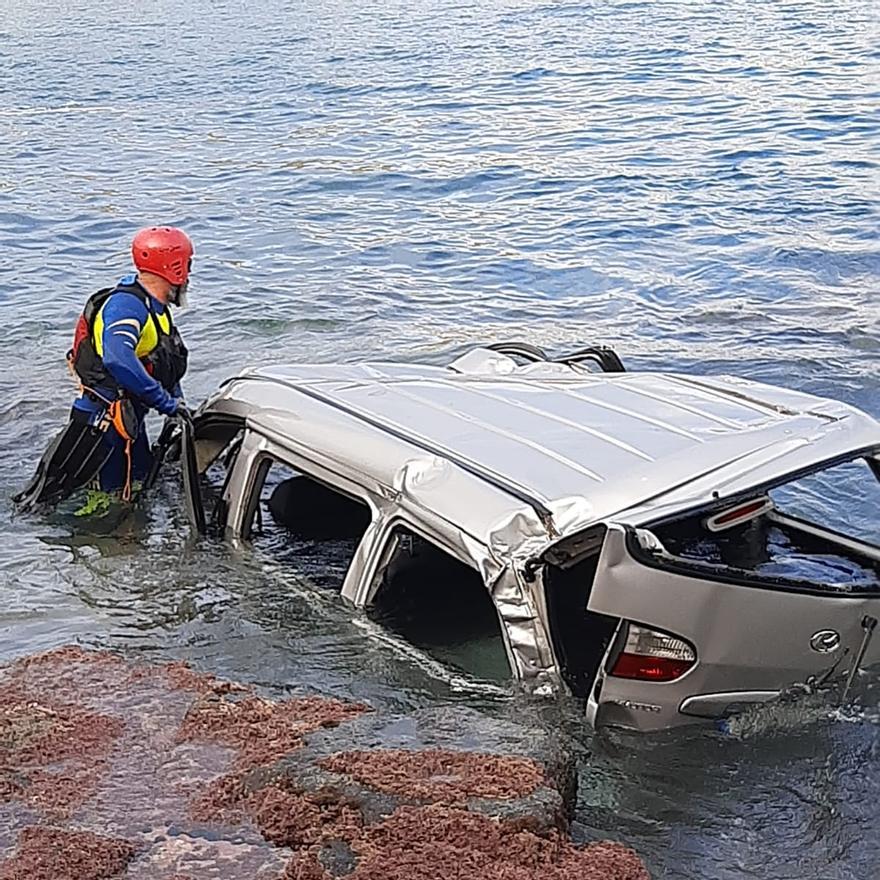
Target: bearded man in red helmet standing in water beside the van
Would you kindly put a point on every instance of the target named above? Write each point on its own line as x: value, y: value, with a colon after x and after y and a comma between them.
x: 129, y: 358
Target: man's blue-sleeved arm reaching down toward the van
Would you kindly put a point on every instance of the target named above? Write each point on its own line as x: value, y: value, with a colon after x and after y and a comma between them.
x: 124, y: 318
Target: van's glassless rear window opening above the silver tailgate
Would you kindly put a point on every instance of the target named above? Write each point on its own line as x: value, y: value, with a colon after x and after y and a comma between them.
x: 819, y: 532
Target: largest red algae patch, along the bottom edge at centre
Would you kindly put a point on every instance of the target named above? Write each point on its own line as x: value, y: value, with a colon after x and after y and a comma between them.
x: 433, y: 842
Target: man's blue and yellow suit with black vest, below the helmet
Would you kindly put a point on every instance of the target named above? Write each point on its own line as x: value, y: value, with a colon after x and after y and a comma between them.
x: 133, y: 350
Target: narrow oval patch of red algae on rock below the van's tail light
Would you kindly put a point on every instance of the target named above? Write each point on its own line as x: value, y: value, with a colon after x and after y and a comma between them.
x: 439, y: 775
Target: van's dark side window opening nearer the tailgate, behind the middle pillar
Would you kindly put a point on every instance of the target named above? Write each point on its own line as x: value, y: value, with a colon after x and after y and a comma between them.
x: 440, y: 605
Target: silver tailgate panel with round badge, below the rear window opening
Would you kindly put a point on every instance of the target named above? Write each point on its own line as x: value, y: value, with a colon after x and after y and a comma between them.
x: 747, y: 637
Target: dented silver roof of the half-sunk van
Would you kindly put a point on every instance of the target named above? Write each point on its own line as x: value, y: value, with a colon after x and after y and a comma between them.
x: 573, y: 447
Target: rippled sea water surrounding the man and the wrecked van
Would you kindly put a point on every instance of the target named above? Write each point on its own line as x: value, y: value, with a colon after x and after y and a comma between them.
x: 691, y: 182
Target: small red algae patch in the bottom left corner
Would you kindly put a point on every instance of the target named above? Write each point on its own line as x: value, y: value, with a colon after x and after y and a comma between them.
x: 55, y: 854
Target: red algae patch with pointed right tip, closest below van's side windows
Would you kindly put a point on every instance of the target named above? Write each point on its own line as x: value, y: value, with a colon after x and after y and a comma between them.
x: 262, y: 731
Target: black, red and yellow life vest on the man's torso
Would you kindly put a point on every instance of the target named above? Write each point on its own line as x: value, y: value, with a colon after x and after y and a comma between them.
x: 159, y: 348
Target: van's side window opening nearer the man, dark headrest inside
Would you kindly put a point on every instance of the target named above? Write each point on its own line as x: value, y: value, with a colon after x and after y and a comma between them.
x: 306, y: 524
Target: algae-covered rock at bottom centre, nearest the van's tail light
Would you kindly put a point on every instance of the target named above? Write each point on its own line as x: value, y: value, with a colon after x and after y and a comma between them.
x: 444, y: 793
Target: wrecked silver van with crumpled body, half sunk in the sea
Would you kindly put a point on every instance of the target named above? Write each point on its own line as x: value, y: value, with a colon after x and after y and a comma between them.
x: 647, y: 540
